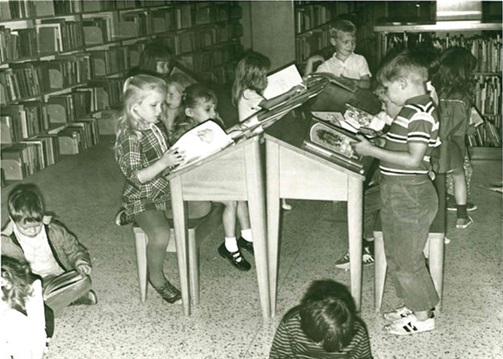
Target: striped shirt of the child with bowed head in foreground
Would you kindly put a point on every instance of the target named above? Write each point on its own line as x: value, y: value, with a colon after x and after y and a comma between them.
x: 291, y: 342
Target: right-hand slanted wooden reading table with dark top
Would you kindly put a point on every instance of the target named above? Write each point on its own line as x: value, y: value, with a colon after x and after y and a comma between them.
x: 293, y: 172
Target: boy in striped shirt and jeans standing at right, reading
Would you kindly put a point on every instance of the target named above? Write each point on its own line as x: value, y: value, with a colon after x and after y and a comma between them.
x: 409, y: 199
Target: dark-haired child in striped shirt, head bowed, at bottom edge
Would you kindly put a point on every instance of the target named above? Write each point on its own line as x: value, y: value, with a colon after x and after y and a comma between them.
x: 324, y: 325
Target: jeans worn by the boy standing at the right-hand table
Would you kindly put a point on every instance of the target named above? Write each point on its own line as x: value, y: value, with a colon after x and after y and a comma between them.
x: 409, y: 205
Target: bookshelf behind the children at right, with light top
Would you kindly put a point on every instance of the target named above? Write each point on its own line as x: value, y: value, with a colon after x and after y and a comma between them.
x: 484, y: 40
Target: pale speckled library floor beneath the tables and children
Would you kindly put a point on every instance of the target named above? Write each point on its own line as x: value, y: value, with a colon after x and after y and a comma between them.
x: 84, y: 191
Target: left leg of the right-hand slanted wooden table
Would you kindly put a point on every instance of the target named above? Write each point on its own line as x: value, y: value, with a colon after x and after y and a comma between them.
x: 273, y: 218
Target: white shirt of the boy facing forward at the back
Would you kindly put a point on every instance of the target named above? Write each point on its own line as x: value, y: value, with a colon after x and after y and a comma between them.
x: 355, y: 66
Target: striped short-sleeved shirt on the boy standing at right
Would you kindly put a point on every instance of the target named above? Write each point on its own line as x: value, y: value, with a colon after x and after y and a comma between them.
x: 416, y: 122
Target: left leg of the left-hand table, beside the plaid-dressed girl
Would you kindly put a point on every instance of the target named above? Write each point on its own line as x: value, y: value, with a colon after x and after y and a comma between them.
x: 180, y: 224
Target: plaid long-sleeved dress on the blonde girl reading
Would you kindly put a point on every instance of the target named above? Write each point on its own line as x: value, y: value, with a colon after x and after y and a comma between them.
x: 132, y: 155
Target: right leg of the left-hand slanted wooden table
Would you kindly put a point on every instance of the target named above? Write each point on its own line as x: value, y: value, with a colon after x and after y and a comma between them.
x: 256, y: 204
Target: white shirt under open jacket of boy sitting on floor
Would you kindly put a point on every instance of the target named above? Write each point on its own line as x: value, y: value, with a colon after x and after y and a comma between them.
x: 38, y: 253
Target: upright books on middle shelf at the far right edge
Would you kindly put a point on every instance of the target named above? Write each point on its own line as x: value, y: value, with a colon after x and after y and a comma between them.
x: 488, y: 94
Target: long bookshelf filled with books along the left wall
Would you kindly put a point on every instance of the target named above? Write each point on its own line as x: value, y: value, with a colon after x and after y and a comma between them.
x: 63, y: 64
